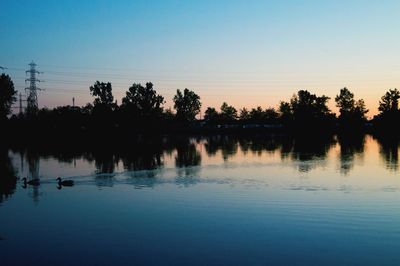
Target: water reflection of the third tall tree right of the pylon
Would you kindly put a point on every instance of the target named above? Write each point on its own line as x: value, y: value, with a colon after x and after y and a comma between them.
x: 187, y: 157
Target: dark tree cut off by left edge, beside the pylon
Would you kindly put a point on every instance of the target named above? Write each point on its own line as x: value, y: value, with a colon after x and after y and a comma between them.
x: 7, y: 95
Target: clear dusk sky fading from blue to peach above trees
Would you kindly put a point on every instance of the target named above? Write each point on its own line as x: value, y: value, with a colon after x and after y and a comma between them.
x: 247, y: 53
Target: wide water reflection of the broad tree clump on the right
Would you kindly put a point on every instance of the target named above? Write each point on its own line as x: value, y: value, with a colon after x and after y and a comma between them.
x: 308, y: 151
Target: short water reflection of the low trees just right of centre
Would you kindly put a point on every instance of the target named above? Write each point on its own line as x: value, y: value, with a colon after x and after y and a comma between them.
x: 227, y: 144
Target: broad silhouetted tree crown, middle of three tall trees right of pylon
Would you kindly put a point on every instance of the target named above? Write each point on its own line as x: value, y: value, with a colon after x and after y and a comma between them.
x: 143, y: 101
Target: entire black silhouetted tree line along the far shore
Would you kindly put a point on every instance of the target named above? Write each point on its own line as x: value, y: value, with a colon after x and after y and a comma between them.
x: 142, y: 110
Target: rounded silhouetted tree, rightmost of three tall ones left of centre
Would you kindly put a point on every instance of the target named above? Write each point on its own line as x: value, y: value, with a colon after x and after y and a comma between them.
x: 187, y: 105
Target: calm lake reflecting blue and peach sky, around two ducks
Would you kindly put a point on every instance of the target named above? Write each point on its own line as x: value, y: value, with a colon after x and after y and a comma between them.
x: 213, y: 200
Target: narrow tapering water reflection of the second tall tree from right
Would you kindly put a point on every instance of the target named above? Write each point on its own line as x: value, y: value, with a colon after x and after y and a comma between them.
x: 350, y: 145
